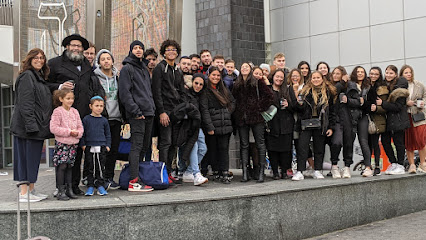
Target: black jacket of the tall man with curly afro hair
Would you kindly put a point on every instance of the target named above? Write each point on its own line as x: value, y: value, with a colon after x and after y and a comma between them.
x: 167, y: 86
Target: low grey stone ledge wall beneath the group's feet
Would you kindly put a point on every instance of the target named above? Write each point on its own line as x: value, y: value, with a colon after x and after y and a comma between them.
x: 276, y: 210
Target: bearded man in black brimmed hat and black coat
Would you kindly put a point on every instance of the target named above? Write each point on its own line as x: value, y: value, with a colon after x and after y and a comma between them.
x: 72, y: 70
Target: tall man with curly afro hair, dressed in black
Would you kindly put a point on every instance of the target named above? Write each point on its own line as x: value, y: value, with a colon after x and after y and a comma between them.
x: 167, y: 85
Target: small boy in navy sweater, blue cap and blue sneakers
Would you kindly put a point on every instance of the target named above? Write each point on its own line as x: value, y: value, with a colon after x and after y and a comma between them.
x: 96, y: 142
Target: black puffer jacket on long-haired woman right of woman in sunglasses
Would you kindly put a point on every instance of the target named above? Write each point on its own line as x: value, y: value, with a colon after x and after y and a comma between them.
x: 215, y: 117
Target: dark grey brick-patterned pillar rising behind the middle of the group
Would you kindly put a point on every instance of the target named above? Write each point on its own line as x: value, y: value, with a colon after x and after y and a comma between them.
x: 234, y: 29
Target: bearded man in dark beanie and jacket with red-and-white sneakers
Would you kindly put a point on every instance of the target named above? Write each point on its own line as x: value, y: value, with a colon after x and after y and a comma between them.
x: 136, y: 96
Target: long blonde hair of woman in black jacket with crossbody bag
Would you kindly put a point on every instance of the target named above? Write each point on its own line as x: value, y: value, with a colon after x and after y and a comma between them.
x: 325, y: 86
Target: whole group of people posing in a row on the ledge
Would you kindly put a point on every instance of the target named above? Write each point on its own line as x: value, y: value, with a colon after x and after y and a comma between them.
x: 194, y: 105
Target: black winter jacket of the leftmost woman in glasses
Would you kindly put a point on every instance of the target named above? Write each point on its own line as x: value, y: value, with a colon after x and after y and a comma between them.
x: 33, y: 107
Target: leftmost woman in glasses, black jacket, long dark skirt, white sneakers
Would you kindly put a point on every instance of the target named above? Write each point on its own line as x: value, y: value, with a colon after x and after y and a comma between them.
x: 30, y: 121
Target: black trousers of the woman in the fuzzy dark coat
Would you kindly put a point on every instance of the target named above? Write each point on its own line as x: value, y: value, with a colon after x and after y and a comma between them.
x: 259, y: 137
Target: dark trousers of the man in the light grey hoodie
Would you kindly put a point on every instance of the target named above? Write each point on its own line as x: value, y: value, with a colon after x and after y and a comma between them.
x: 115, y: 128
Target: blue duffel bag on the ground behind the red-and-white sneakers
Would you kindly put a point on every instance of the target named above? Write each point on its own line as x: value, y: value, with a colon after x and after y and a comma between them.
x: 151, y: 173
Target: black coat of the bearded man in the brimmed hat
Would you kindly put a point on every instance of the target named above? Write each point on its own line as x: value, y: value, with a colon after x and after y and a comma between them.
x: 62, y: 70
